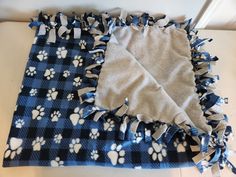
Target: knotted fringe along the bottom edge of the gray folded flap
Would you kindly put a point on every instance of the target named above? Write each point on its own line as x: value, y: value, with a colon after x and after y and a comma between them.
x: 161, y: 131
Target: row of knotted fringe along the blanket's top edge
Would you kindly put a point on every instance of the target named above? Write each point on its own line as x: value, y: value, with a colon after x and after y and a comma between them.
x: 65, y: 27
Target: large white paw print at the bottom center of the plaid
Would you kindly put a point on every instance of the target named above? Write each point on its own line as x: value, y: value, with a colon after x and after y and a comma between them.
x: 116, y: 155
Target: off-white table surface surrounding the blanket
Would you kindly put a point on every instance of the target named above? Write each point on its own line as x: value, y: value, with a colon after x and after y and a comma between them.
x: 15, y: 43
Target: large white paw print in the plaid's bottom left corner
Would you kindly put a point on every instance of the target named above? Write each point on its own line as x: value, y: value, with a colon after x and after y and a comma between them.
x: 13, y: 148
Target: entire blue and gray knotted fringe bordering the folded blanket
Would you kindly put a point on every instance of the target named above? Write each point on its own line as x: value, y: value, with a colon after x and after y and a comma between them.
x: 212, y: 147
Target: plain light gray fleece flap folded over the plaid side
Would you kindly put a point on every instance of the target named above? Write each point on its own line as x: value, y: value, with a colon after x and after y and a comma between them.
x: 151, y: 67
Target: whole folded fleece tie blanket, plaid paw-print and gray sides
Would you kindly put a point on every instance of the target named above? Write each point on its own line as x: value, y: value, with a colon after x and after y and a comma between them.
x: 126, y: 91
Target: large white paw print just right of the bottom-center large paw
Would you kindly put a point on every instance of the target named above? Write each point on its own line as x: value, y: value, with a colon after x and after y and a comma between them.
x: 157, y: 151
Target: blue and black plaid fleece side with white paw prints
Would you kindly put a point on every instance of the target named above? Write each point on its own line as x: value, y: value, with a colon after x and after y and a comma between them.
x: 48, y: 128
